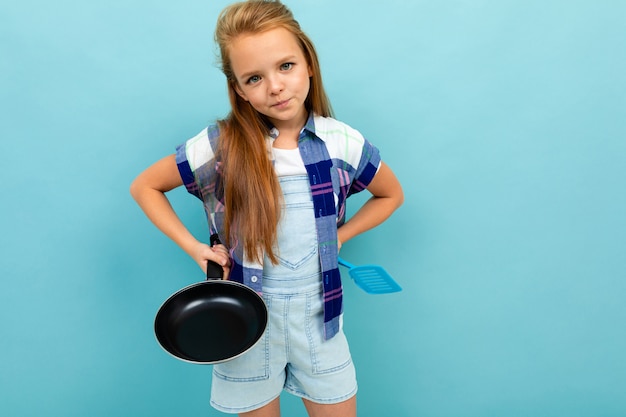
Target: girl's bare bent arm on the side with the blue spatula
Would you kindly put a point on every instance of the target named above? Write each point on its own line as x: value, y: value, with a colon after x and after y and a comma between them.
x: 387, y: 196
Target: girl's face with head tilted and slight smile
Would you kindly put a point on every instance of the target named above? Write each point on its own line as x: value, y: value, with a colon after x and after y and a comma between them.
x: 273, y: 75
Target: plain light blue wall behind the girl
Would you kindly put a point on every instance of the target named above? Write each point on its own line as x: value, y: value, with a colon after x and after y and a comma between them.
x: 504, y: 120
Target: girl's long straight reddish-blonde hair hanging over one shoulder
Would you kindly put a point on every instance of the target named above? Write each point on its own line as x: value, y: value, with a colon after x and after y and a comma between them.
x: 252, y: 194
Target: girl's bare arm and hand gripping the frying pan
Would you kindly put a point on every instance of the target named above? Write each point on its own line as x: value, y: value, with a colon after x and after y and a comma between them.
x: 149, y: 189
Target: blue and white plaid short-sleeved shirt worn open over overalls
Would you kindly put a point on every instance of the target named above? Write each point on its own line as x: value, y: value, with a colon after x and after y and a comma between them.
x: 339, y: 163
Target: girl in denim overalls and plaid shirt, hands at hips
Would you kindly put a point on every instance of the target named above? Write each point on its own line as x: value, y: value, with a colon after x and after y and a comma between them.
x: 274, y: 177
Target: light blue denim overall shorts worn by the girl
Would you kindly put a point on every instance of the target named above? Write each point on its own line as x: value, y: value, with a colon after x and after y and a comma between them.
x: 292, y: 355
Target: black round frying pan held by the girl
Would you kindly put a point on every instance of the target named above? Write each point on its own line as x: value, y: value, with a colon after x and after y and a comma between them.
x: 211, y: 321
